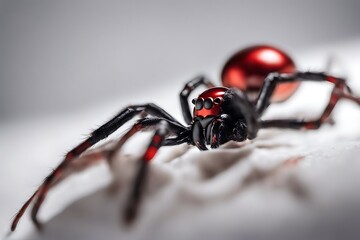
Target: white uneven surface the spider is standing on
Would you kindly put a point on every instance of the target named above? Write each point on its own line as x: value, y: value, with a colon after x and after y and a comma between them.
x: 199, y: 194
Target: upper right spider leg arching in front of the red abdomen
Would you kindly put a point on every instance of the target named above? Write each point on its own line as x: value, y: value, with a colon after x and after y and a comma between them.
x: 273, y: 79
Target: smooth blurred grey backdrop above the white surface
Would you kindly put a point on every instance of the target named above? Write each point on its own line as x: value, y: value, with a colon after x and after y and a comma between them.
x: 60, y: 56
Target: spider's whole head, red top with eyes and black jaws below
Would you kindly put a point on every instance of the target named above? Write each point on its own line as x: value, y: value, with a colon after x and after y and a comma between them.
x: 215, y: 106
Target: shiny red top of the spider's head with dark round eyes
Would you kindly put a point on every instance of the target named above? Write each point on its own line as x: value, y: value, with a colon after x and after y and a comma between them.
x: 209, y: 102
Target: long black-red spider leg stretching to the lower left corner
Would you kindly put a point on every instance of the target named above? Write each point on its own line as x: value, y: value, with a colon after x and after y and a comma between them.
x: 99, y: 134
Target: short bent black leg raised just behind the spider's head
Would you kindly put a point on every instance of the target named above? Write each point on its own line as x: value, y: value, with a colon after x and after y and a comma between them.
x: 185, y: 93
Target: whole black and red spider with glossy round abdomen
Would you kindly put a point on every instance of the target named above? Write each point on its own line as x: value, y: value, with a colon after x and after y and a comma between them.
x: 252, y: 79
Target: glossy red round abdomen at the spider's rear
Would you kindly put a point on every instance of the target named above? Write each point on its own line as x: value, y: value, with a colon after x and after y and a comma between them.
x: 248, y: 68
